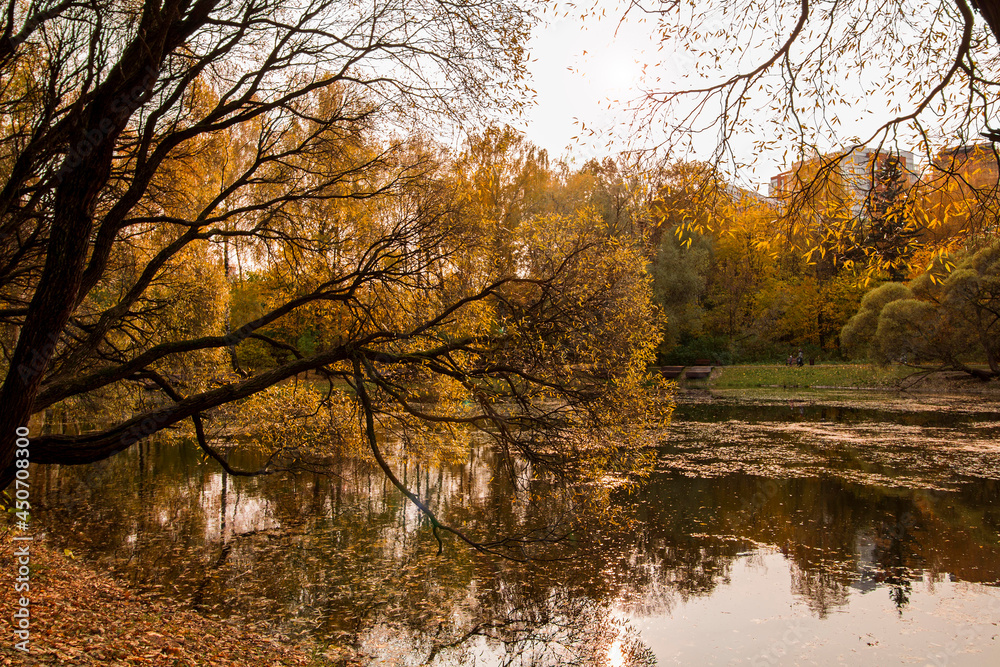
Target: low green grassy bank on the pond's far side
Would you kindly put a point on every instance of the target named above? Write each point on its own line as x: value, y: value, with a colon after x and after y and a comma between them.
x: 843, y: 376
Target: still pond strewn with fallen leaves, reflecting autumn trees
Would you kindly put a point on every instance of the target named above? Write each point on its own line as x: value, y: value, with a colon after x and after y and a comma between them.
x: 810, y: 528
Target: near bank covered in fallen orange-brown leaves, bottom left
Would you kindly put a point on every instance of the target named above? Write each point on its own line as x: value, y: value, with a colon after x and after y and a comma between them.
x: 80, y: 616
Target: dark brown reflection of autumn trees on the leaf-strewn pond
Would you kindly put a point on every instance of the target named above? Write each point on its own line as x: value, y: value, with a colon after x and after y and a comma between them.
x: 344, y: 558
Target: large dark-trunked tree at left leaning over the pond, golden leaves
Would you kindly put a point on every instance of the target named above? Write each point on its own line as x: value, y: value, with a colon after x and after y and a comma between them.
x: 147, y: 149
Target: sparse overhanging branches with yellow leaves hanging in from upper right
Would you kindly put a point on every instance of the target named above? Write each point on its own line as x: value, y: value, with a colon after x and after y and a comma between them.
x: 816, y: 79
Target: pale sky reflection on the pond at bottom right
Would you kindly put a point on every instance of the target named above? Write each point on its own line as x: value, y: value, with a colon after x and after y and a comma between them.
x: 760, y: 619
